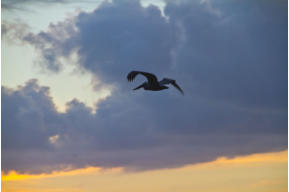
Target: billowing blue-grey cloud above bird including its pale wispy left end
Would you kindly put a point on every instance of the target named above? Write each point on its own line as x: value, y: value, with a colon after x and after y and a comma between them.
x: 123, y: 32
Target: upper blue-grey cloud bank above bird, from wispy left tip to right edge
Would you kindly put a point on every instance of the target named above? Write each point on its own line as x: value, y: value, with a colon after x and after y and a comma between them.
x: 238, y: 56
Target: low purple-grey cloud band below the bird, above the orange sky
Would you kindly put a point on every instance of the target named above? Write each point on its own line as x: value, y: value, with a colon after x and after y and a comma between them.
x: 129, y: 131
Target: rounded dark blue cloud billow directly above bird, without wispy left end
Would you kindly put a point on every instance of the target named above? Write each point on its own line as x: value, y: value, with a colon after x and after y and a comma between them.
x: 125, y: 36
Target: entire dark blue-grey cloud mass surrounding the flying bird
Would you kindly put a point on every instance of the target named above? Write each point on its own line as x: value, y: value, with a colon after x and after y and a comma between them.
x: 231, y: 62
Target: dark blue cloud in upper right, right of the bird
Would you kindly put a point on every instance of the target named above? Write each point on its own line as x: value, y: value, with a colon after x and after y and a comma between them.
x: 240, y: 56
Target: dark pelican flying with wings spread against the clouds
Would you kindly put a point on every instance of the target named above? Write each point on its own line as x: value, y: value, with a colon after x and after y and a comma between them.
x: 153, y: 84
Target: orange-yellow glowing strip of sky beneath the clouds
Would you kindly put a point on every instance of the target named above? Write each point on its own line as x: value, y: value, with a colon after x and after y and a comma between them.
x: 267, y: 172
